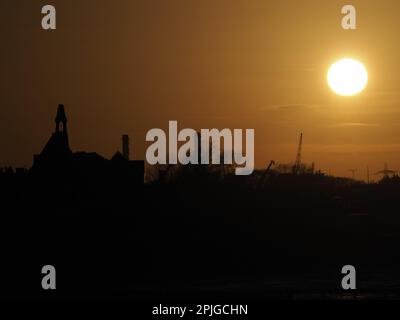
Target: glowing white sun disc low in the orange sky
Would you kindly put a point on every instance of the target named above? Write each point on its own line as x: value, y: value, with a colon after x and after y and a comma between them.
x: 347, y: 77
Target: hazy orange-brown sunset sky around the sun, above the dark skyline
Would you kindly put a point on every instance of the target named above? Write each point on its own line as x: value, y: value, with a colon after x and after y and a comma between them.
x: 129, y: 66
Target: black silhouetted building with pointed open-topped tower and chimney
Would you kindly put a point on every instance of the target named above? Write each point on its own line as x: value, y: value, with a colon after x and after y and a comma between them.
x: 58, y: 160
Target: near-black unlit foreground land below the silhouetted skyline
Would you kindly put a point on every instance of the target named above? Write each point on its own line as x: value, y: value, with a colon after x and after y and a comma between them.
x: 211, y: 237
